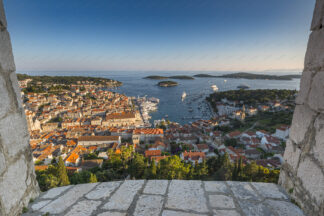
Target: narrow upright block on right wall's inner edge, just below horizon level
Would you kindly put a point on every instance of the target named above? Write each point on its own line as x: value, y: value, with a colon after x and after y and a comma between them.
x: 305, y: 86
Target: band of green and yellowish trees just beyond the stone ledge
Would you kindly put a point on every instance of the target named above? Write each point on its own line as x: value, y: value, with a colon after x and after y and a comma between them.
x: 135, y: 165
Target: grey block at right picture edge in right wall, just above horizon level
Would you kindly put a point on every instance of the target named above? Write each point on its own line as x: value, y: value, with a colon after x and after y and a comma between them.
x: 314, y: 59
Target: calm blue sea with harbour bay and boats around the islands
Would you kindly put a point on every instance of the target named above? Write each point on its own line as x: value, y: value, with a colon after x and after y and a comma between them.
x: 171, y: 105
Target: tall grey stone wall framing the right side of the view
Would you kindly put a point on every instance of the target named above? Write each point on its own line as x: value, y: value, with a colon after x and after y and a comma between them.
x: 302, y: 175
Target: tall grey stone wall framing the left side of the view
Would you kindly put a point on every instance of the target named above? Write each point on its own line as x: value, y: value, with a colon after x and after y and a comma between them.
x: 17, y: 177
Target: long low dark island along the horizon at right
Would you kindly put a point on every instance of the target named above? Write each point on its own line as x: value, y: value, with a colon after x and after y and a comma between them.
x: 251, y: 76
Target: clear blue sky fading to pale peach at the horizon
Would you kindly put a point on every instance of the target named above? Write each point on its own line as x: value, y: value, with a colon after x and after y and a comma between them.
x: 159, y: 35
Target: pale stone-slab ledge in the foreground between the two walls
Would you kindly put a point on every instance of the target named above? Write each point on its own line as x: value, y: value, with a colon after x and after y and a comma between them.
x: 165, y: 198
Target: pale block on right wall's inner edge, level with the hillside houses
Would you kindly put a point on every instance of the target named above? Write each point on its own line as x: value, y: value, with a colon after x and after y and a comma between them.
x: 301, y: 121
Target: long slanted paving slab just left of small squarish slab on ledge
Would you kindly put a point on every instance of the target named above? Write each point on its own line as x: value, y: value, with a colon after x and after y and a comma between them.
x: 123, y: 197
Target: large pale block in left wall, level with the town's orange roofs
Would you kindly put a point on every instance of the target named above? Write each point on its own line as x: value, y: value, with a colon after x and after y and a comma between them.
x: 14, y: 133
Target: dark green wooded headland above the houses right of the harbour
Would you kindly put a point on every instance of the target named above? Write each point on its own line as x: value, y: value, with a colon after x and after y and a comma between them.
x: 253, y: 97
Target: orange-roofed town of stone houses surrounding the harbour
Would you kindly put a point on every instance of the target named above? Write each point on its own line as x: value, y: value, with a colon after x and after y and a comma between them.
x: 85, y: 123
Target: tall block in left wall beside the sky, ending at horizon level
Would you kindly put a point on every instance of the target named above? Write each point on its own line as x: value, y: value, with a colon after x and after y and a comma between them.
x: 7, y: 63
